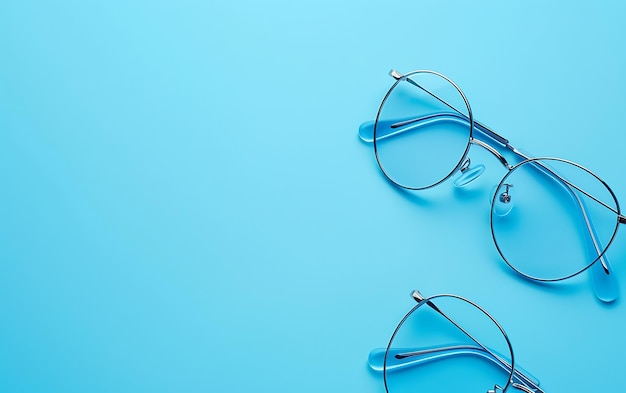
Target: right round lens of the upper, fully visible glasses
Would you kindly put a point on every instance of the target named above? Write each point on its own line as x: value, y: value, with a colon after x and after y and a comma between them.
x: 563, y: 219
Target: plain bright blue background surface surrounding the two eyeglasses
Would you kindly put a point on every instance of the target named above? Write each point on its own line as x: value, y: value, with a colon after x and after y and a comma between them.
x: 185, y: 204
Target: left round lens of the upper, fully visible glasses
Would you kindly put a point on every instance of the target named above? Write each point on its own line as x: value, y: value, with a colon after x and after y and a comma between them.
x: 422, y: 130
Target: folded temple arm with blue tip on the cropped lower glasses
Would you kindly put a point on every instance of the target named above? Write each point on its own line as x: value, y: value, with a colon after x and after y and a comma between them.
x: 411, y: 357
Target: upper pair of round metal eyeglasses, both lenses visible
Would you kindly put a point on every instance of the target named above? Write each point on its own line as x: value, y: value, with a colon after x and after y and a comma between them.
x: 565, y: 216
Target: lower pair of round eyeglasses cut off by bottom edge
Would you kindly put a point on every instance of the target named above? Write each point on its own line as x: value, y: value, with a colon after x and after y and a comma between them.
x: 449, y: 343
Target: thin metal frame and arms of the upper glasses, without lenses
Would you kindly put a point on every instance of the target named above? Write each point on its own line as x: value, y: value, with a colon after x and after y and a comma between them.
x: 604, y: 281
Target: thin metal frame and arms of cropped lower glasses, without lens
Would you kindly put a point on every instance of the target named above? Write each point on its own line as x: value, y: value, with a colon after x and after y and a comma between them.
x: 518, y: 378
